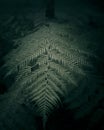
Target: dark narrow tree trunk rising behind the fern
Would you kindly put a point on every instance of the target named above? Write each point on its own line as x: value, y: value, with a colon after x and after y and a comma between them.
x: 50, y: 8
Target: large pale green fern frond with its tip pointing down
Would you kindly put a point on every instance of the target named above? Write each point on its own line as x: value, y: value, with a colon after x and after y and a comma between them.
x: 47, y: 72
